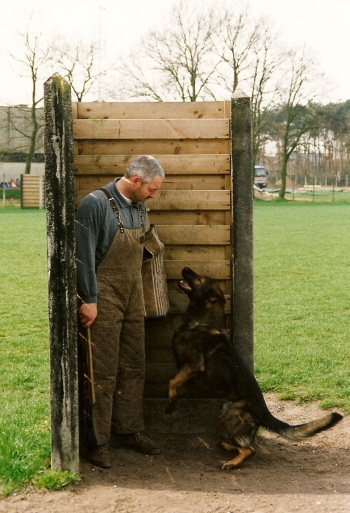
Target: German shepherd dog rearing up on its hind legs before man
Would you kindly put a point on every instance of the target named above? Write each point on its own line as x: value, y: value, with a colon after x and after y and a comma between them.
x: 205, y: 356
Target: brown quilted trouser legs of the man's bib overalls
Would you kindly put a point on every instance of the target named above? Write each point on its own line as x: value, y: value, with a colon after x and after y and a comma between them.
x: 118, y: 356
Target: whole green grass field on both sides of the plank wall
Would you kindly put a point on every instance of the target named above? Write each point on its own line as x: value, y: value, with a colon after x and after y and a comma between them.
x: 302, y: 310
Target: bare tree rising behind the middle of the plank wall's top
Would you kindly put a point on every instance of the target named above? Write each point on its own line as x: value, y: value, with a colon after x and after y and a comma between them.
x: 176, y: 62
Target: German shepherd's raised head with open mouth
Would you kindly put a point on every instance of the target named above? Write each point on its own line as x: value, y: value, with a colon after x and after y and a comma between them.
x: 201, y: 289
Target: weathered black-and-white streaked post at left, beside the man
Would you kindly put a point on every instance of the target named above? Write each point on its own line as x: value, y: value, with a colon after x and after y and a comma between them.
x: 59, y: 188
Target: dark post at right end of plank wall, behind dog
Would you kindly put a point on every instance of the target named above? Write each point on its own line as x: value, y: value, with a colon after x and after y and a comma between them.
x: 242, y: 228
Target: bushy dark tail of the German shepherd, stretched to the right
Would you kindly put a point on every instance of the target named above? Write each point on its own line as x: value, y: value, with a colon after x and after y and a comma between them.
x: 302, y: 431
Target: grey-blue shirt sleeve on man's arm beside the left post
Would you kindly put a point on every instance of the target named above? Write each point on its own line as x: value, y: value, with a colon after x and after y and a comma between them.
x: 87, y: 225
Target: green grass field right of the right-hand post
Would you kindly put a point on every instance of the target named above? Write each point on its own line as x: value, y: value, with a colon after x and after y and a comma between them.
x: 302, y: 301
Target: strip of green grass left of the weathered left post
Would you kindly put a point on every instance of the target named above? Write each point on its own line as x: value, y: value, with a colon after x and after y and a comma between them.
x: 24, y: 355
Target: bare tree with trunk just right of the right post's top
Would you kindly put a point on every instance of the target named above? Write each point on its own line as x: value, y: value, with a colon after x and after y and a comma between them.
x: 249, y: 49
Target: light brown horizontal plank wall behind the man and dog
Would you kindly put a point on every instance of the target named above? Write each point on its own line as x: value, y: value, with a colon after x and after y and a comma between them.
x: 192, y: 211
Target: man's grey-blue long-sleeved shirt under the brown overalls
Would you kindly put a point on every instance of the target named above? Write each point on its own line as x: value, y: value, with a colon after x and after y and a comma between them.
x: 95, y: 229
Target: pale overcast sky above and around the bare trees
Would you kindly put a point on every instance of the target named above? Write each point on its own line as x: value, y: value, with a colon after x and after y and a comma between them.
x: 322, y: 24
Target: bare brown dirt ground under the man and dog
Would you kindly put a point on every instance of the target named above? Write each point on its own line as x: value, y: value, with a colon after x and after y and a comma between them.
x: 282, y: 477
